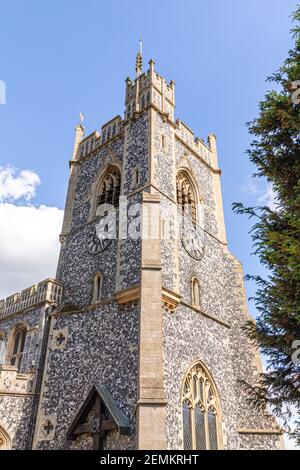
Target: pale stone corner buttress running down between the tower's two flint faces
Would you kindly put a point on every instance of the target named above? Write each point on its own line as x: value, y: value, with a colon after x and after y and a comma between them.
x: 151, y: 389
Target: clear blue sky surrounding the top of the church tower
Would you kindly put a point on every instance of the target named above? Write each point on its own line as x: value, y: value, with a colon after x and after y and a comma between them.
x: 62, y: 57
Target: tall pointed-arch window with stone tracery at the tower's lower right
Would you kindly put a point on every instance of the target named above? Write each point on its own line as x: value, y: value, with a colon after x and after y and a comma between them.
x: 200, y: 411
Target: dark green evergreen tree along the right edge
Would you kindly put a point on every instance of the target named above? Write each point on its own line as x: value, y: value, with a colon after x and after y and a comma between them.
x: 275, y: 152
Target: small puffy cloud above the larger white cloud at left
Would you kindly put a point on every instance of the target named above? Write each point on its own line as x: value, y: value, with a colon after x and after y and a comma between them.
x: 16, y: 184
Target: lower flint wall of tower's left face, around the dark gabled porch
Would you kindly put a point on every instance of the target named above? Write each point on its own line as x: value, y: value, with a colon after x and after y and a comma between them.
x: 101, y: 349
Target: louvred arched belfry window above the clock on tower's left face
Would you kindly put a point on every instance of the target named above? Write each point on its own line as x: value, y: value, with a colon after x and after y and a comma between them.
x: 109, y: 188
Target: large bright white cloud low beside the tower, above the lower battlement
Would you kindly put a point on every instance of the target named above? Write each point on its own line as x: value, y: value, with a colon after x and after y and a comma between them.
x: 29, y: 245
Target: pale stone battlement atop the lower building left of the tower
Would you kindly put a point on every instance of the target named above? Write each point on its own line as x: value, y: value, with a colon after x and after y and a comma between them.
x: 49, y: 290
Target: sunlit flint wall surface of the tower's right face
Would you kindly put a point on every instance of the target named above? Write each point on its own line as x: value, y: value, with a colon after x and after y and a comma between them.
x: 190, y: 336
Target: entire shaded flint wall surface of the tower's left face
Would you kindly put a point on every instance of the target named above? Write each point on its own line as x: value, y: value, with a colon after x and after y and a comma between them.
x: 102, y: 340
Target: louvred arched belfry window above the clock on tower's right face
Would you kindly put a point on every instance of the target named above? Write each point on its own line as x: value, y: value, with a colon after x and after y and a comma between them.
x: 186, y: 198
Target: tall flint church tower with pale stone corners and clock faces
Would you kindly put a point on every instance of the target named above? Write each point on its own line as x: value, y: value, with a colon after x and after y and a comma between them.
x: 146, y: 349
